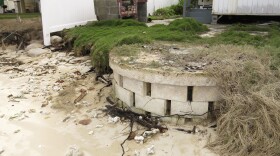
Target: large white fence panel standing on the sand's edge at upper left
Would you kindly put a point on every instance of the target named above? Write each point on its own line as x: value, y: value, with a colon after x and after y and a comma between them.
x: 62, y: 14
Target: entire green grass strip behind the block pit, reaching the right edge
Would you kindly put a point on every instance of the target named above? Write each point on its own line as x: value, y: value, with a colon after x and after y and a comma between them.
x: 99, y: 38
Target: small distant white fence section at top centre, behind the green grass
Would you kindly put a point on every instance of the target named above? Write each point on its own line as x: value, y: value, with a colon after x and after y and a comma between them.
x: 153, y: 5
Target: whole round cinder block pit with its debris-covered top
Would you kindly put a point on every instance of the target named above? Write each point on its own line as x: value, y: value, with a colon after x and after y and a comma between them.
x: 154, y: 80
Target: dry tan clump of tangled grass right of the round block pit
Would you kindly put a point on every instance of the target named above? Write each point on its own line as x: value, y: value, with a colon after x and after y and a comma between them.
x: 248, y: 114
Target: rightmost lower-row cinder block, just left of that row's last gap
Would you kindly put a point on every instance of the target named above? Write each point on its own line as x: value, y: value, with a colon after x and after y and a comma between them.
x: 200, y: 108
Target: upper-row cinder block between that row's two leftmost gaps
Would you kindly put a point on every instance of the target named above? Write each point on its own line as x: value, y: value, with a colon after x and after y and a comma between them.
x: 139, y: 87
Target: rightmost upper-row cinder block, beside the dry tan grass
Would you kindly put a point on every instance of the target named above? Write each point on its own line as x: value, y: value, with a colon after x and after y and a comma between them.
x: 205, y: 94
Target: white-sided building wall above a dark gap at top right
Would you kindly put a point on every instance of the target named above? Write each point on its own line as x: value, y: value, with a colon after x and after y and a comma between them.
x: 246, y: 7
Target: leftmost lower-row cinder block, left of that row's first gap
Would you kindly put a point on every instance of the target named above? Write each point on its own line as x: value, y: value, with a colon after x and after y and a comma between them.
x: 124, y: 95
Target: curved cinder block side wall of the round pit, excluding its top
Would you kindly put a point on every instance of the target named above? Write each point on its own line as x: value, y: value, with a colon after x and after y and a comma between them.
x: 164, y: 95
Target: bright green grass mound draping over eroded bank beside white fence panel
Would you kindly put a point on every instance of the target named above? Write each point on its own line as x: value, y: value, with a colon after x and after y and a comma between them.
x: 99, y: 38
